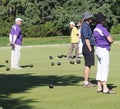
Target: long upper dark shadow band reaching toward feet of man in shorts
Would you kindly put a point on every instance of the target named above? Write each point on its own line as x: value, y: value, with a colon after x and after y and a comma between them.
x: 20, y: 83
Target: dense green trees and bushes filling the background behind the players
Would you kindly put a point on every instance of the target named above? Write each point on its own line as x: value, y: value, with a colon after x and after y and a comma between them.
x: 51, y: 17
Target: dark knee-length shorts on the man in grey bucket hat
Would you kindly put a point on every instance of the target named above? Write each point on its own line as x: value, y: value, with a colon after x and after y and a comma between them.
x: 88, y: 56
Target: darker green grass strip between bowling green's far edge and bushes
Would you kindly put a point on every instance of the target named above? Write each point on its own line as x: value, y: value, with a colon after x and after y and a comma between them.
x: 45, y: 40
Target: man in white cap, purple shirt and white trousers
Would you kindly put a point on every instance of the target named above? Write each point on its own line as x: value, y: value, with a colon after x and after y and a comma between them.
x: 15, y: 38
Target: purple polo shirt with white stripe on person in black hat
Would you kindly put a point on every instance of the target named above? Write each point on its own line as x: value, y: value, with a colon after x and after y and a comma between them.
x: 101, y: 33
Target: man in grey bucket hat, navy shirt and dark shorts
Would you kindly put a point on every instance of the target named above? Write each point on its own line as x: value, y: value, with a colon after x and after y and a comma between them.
x: 88, y: 47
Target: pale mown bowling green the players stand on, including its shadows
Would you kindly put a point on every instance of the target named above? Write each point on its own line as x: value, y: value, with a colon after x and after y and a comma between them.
x: 28, y: 88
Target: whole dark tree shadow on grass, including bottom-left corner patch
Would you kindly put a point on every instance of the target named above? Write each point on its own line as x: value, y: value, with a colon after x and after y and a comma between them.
x: 12, y: 84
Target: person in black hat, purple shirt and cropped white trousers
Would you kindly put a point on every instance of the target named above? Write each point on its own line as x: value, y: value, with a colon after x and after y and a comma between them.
x: 103, y: 41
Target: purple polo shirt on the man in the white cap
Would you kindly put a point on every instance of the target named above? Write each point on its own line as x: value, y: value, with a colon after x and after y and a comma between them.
x: 16, y: 30
